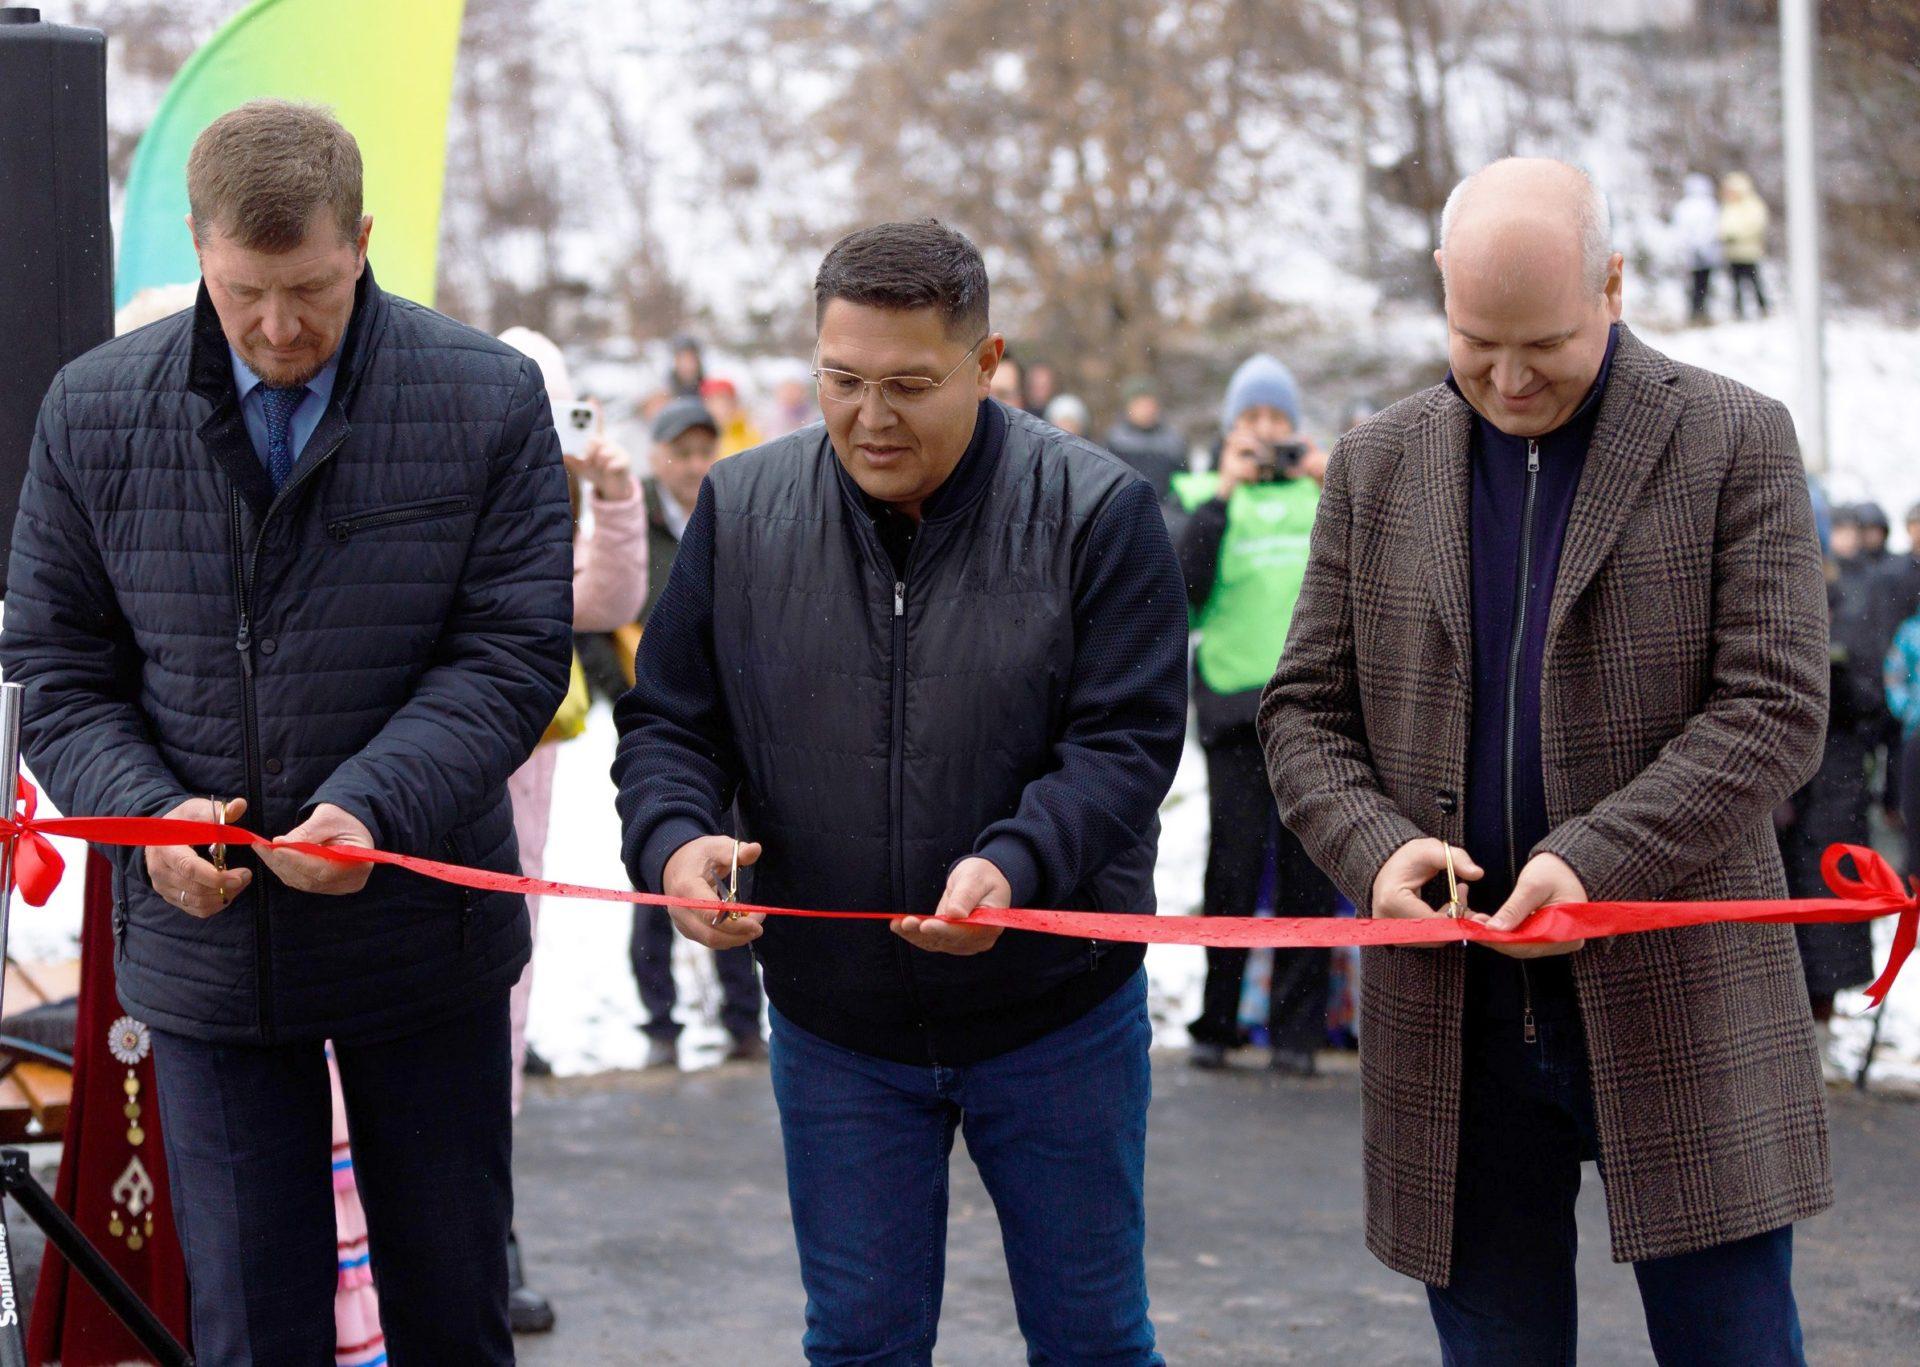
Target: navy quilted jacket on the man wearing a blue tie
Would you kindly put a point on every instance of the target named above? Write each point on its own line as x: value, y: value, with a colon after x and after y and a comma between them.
x: 389, y: 633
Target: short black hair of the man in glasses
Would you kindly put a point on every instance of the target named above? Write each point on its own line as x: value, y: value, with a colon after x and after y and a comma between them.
x: 907, y: 266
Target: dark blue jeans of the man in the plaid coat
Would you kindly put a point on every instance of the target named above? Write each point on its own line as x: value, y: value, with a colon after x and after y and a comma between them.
x: 1527, y: 1124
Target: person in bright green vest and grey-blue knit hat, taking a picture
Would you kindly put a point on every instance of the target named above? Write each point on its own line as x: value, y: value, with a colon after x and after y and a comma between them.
x: 1243, y: 556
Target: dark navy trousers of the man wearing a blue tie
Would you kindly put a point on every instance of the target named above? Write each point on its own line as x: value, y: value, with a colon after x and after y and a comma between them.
x: 251, y: 1159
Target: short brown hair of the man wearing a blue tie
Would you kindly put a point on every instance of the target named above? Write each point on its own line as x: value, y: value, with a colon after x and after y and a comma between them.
x: 260, y: 172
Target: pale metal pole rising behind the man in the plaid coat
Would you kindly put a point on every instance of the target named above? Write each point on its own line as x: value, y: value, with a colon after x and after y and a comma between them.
x: 1804, y: 224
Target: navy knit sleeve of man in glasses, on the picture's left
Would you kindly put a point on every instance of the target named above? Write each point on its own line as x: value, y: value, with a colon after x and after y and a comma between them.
x: 677, y: 767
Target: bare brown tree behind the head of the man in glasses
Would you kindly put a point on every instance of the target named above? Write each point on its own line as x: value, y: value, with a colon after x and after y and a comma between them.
x: 1095, y: 151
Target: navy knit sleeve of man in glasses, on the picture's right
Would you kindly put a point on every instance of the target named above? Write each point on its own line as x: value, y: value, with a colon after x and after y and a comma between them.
x: 1126, y: 715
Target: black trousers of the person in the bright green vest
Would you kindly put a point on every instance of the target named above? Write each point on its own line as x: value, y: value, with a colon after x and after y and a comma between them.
x: 1245, y: 827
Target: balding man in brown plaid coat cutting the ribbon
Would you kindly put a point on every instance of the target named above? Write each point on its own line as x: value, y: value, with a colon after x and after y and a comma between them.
x: 1566, y: 623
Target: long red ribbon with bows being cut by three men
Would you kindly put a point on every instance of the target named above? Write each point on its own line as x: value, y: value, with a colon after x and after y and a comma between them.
x: 1873, y: 892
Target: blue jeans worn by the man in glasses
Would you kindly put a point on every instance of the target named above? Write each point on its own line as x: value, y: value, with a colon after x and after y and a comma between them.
x: 1059, y: 1134
